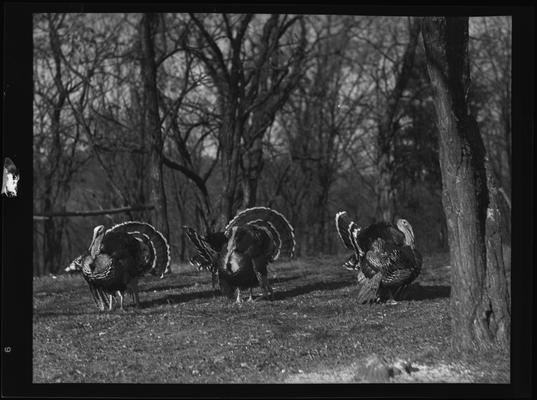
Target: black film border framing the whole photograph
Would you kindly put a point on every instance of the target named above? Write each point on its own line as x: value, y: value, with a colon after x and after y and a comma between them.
x: 17, y: 222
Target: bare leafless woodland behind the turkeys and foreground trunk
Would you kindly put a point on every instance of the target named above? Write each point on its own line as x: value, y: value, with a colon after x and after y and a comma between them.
x: 182, y: 119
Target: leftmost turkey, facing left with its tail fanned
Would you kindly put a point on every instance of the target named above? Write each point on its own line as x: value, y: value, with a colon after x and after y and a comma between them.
x: 118, y: 258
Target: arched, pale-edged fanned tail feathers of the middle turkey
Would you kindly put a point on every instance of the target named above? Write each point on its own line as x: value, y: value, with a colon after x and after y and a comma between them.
x: 275, y: 221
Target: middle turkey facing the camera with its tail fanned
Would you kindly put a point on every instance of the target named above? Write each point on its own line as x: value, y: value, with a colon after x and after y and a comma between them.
x: 240, y: 254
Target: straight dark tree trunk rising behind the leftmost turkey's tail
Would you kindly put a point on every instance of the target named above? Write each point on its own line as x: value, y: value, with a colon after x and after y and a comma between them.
x: 152, y: 124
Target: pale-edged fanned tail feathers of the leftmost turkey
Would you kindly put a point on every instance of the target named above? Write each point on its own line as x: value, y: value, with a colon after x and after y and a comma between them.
x: 153, y: 238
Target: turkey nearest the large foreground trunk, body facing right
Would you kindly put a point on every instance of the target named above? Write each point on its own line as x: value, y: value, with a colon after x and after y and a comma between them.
x: 384, y: 255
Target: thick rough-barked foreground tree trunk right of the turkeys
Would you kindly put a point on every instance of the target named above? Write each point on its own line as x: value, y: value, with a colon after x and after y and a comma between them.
x: 480, y: 306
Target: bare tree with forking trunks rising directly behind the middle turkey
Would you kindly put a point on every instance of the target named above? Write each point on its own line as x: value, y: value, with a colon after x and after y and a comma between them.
x: 253, y: 76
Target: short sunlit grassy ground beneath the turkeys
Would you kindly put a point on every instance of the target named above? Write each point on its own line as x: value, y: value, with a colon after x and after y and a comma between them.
x: 313, y: 331
